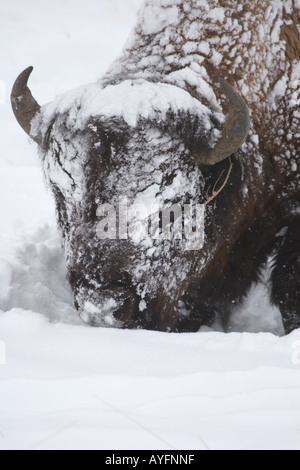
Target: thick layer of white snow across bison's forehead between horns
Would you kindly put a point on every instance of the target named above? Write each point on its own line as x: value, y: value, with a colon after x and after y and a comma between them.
x: 130, y: 100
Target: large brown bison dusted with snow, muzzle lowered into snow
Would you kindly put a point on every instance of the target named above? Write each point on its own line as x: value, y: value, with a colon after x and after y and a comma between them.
x: 202, y: 107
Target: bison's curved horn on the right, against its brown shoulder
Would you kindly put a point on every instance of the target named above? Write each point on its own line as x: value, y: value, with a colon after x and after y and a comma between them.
x: 234, y: 132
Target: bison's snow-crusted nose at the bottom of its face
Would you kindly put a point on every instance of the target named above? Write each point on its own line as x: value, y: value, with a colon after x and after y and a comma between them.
x: 110, y: 307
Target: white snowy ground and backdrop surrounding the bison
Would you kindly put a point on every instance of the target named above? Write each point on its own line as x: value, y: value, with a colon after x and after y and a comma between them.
x: 65, y: 385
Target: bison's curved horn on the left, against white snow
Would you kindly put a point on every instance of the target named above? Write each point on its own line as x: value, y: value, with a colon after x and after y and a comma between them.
x: 24, y: 106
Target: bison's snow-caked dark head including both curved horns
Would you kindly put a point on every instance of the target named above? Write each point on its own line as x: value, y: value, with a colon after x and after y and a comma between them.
x: 151, y: 143
